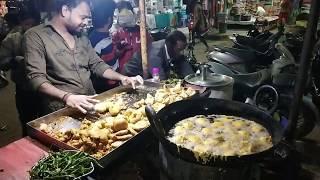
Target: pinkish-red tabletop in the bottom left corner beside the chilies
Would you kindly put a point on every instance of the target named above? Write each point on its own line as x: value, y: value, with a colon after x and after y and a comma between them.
x: 17, y: 158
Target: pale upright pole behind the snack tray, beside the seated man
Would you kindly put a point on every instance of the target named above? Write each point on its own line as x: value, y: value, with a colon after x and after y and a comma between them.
x: 143, y: 38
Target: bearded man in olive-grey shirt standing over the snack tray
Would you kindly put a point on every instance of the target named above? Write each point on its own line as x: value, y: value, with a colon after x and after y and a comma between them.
x: 59, y: 60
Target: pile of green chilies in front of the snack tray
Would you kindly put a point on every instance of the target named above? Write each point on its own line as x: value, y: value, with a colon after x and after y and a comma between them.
x: 63, y: 165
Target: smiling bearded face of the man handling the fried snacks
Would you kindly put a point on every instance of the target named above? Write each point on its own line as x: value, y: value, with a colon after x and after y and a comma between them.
x: 77, y: 18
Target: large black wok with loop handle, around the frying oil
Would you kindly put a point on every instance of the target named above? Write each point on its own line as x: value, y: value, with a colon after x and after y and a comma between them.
x: 167, y: 117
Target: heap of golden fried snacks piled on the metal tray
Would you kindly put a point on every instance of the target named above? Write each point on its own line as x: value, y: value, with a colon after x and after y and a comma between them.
x: 117, y: 121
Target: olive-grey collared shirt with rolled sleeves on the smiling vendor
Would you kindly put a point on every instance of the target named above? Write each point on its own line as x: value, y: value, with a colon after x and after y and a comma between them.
x: 49, y: 59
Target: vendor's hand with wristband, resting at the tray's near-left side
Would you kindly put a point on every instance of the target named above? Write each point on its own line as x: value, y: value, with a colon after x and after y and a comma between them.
x: 81, y: 102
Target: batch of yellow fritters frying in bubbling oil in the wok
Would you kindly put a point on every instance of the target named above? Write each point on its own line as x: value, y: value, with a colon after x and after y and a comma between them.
x: 220, y: 135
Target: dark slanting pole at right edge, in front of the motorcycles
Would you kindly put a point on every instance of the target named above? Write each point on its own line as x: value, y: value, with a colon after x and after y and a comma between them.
x: 305, y: 61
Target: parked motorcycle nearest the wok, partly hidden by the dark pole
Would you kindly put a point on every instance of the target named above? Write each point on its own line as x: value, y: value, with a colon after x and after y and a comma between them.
x: 271, y: 89
